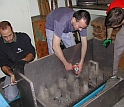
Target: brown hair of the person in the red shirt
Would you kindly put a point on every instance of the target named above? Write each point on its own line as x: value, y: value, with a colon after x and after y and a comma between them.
x: 114, y: 17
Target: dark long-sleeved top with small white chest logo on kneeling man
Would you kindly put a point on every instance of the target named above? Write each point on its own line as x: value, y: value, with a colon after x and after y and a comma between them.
x: 17, y: 50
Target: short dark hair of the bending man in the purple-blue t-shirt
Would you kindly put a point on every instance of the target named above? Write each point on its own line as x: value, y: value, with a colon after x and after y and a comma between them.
x: 82, y: 14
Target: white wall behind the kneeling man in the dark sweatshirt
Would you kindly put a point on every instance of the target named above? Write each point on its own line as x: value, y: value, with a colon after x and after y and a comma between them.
x: 17, y: 12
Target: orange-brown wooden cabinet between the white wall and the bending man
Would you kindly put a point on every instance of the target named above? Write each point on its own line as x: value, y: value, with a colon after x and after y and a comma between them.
x: 38, y: 23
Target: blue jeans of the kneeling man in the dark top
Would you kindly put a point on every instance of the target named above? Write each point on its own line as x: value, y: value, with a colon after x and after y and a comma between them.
x: 11, y: 92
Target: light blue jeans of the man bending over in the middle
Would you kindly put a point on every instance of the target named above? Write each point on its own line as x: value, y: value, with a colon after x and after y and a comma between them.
x: 67, y: 38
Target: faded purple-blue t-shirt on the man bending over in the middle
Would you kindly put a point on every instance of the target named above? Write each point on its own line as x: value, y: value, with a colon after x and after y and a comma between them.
x: 59, y: 21
